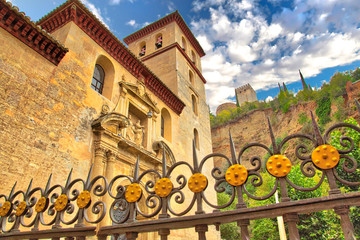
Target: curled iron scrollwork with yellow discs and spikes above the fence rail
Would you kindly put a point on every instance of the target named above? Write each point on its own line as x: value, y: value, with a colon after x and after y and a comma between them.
x: 156, y: 193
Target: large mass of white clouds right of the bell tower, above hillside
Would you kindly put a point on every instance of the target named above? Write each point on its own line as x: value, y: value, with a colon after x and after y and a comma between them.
x: 245, y: 44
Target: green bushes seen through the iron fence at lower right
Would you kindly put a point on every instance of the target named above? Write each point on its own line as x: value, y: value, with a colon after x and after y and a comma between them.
x: 323, y: 225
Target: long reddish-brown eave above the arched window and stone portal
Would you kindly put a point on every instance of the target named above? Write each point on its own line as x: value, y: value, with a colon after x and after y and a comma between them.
x: 74, y: 10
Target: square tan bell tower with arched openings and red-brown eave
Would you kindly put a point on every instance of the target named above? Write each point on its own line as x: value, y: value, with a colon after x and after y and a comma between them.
x: 171, y: 51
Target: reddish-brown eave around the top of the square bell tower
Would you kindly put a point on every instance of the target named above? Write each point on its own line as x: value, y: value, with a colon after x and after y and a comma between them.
x: 172, y: 17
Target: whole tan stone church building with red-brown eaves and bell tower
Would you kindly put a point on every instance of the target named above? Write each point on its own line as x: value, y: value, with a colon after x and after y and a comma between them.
x: 73, y: 95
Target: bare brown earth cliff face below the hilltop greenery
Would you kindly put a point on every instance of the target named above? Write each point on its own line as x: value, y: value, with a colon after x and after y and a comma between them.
x: 252, y: 127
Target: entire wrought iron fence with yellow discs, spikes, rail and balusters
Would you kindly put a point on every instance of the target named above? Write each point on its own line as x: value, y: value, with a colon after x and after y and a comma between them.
x: 79, y: 205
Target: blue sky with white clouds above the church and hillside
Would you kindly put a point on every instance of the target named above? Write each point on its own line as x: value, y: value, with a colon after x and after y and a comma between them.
x: 246, y: 41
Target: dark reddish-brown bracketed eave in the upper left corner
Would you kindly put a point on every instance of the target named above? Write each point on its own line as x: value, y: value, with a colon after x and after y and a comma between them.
x: 21, y: 27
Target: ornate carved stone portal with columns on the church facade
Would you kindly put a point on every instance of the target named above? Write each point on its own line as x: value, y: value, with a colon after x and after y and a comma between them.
x: 123, y: 134
